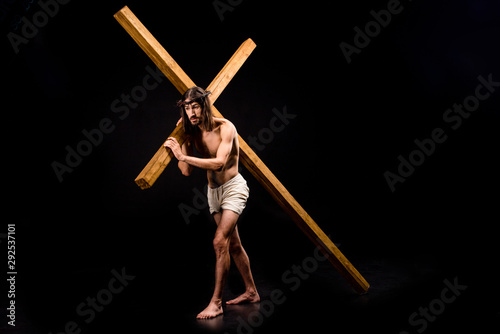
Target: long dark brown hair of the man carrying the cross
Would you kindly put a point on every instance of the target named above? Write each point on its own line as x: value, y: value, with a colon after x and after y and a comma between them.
x: 197, y: 94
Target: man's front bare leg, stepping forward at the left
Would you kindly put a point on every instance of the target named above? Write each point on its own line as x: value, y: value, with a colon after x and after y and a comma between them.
x: 222, y: 239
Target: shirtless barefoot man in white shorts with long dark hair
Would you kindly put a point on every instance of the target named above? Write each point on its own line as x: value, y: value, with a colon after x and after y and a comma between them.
x: 217, y: 141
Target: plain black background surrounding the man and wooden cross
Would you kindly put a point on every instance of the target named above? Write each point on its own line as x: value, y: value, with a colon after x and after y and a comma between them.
x: 352, y: 121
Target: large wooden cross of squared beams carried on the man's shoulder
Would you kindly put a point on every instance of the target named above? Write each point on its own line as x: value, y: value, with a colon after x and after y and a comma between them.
x: 250, y: 160
